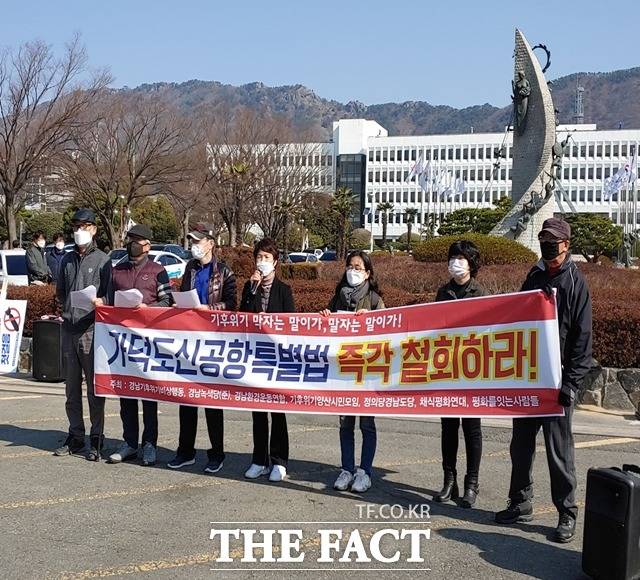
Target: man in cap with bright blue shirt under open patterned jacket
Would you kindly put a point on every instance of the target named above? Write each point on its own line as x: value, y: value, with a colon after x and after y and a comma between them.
x: 215, y: 284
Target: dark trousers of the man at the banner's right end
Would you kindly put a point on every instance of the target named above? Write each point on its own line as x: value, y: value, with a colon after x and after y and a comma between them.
x: 558, y: 440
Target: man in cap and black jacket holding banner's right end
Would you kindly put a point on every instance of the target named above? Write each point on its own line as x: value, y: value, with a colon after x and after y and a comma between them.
x: 556, y: 271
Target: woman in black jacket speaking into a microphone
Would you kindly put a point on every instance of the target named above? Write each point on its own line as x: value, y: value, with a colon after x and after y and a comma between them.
x: 265, y: 292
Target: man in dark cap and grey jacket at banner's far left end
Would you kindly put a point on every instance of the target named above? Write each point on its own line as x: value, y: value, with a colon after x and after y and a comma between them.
x: 85, y: 266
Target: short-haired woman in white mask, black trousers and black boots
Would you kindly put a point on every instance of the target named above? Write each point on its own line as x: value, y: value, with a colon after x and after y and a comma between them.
x: 464, y: 263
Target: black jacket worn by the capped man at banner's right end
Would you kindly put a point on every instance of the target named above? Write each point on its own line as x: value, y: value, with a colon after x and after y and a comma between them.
x: 574, y: 317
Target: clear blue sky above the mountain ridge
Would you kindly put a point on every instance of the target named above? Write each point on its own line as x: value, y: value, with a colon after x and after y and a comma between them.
x: 456, y: 52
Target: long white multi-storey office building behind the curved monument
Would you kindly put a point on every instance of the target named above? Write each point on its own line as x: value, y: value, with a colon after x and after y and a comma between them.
x: 375, y: 166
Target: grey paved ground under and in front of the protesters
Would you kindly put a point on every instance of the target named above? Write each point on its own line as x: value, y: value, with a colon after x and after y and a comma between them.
x: 68, y: 518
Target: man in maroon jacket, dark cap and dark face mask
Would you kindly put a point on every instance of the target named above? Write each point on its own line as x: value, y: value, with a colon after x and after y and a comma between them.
x: 152, y: 281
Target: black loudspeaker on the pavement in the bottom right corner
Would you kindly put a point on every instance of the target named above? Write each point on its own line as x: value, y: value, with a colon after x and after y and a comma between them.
x: 611, y: 540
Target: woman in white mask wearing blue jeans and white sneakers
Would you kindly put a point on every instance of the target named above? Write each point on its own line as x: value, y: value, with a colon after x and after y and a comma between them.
x: 356, y: 292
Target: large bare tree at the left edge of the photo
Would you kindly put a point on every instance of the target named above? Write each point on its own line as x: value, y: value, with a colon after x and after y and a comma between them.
x: 42, y: 99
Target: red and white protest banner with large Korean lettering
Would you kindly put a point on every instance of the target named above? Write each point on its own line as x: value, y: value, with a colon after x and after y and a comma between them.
x: 490, y: 356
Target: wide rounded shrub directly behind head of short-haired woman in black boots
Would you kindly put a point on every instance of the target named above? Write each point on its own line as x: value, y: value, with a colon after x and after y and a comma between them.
x: 493, y: 249
